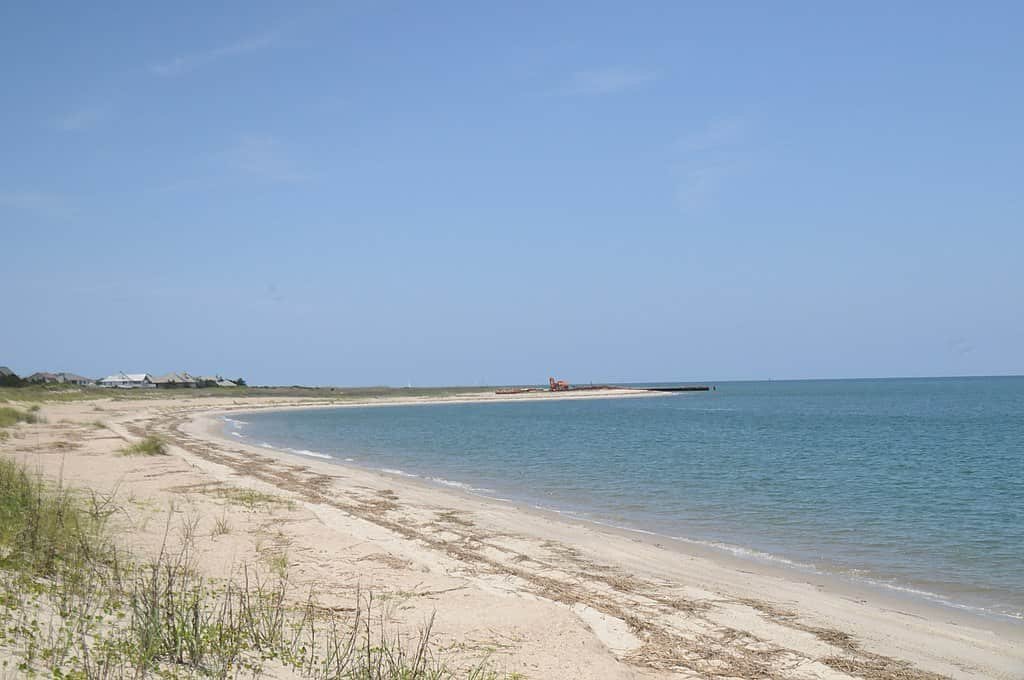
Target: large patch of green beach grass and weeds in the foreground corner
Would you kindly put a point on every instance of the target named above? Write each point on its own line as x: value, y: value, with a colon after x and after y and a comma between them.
x: 73, y: 605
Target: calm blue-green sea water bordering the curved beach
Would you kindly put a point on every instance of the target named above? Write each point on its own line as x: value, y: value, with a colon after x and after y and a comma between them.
x: 913, y: 485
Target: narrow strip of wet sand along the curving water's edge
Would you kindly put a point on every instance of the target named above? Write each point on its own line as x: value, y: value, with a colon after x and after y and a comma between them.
x: 735, y: 557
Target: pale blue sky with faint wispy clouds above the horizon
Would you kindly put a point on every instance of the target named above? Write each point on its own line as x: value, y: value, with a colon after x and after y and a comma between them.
x: 470, y: 193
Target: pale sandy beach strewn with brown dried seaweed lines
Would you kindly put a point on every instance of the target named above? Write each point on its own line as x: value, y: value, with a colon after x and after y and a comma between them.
x: 533, y: 592
